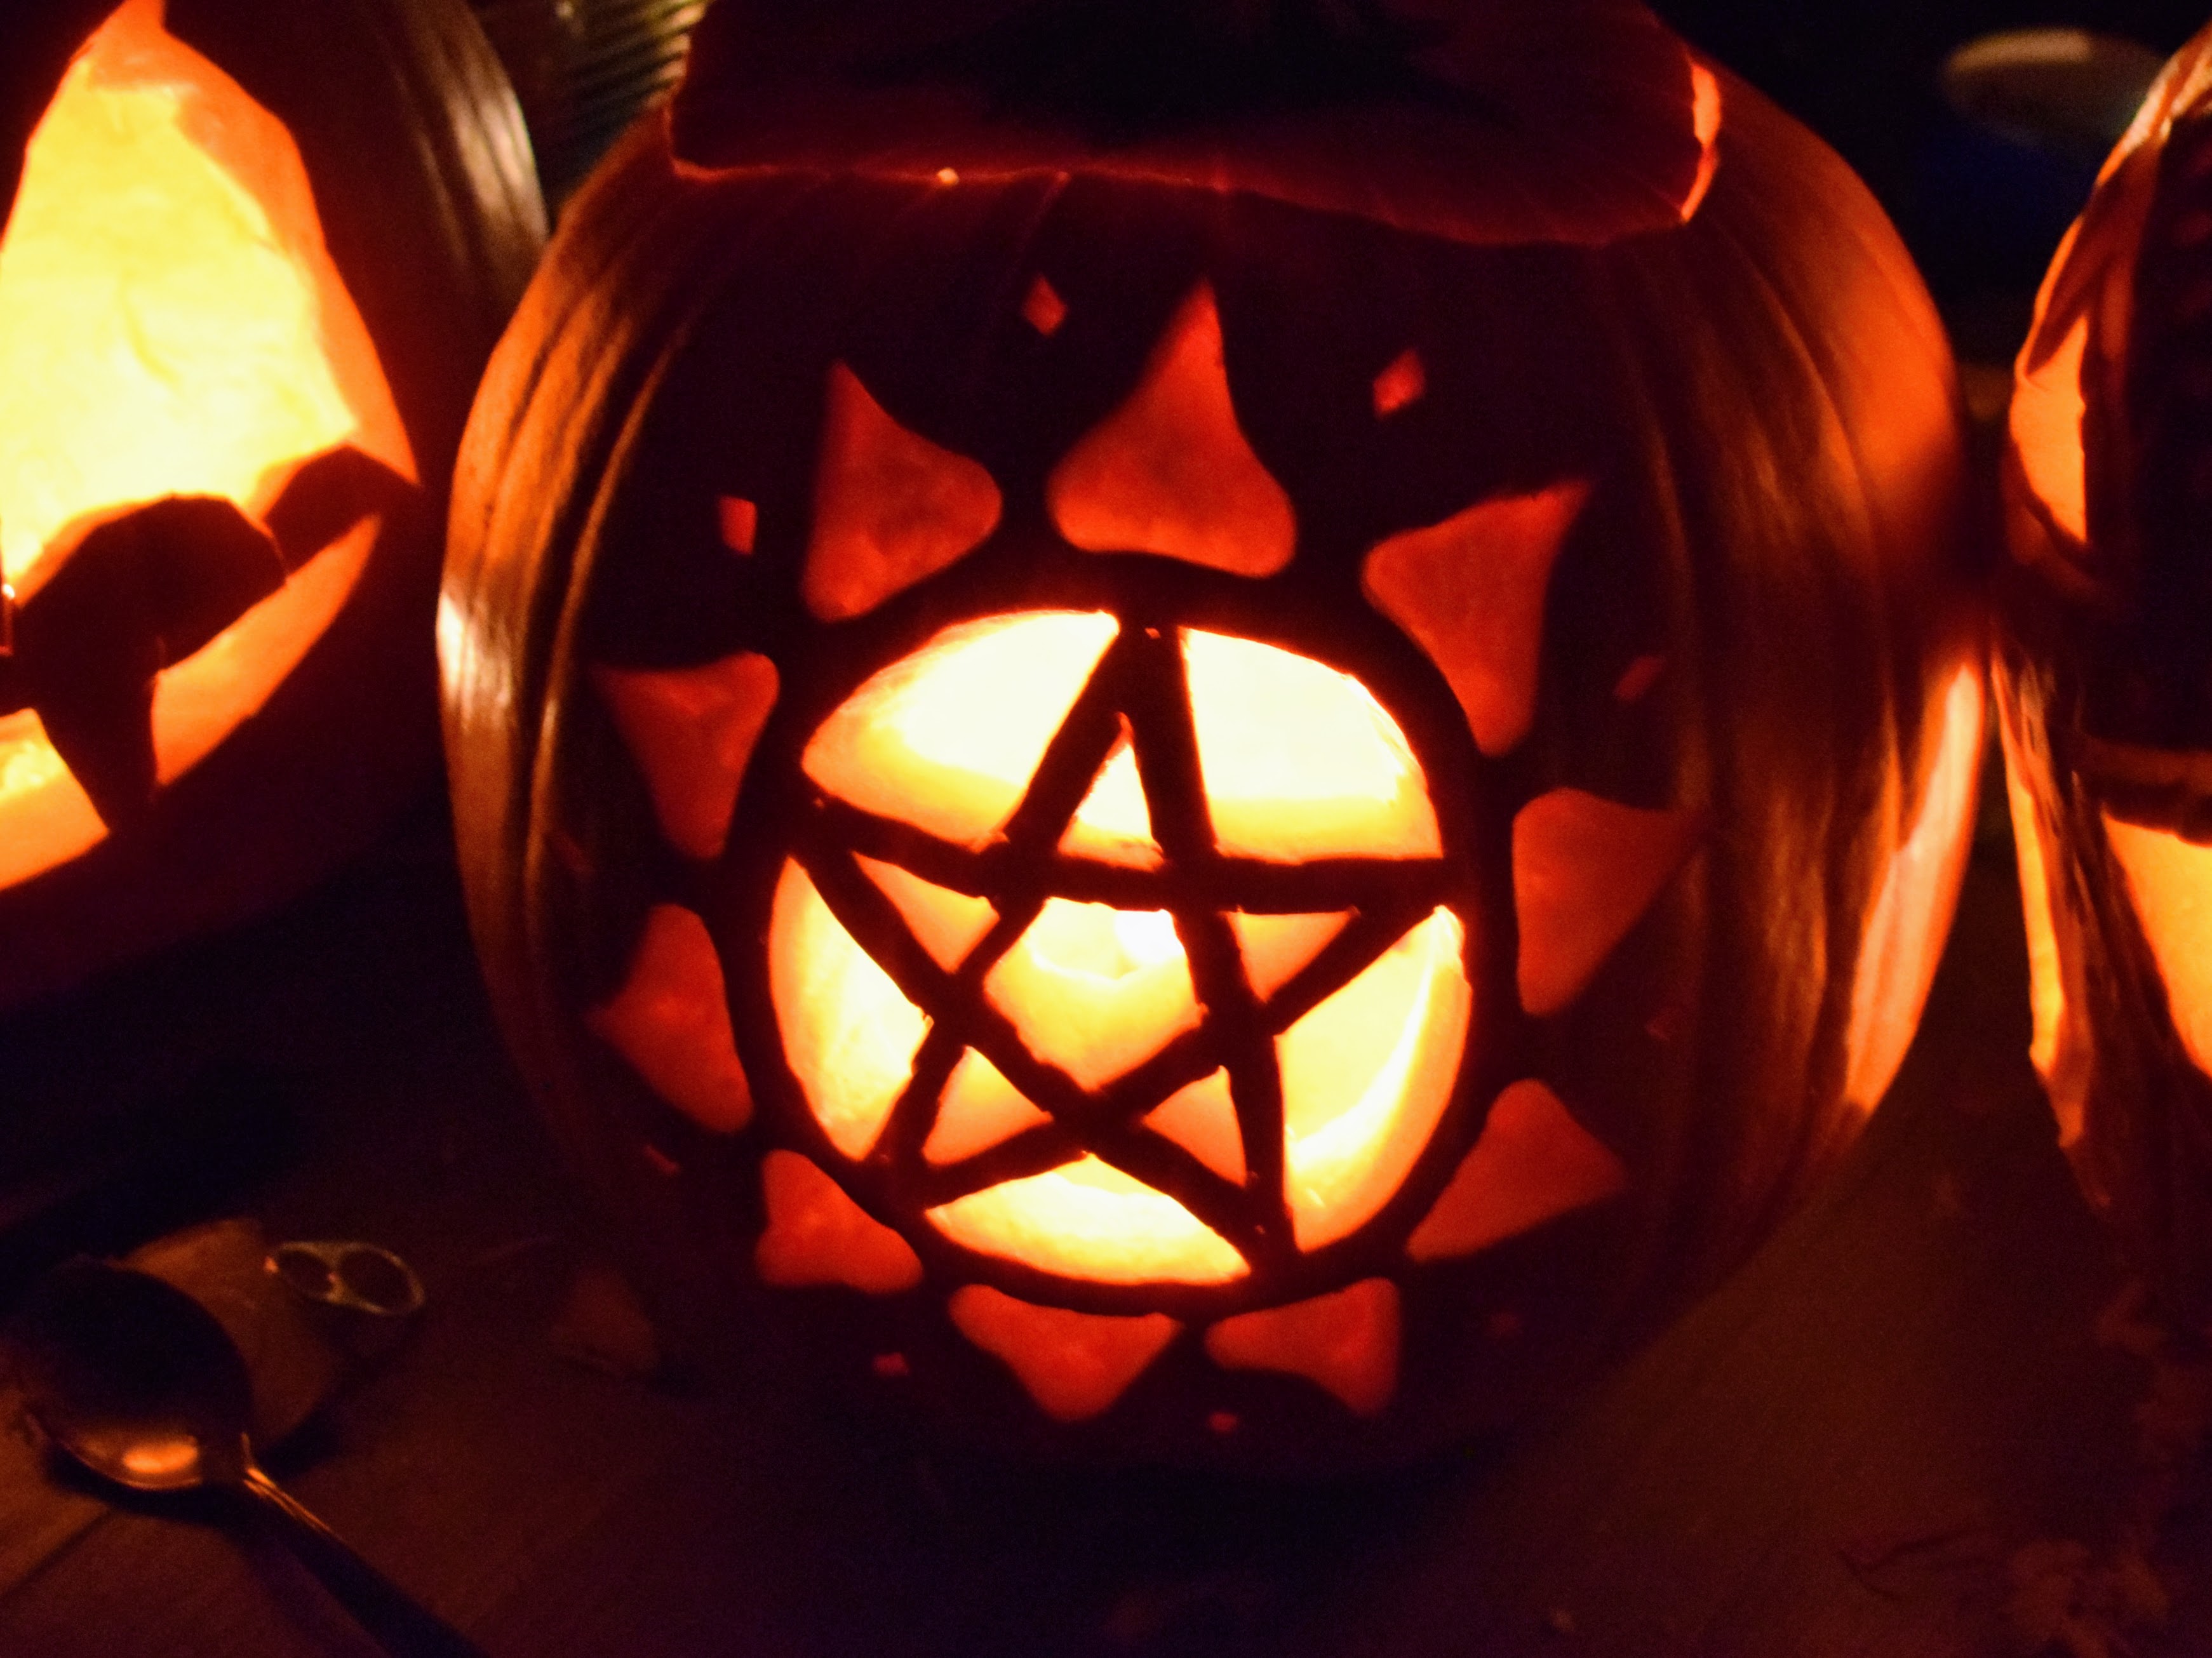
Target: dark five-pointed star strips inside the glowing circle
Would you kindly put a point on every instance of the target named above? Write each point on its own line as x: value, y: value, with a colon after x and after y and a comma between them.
x: 1136, y: 695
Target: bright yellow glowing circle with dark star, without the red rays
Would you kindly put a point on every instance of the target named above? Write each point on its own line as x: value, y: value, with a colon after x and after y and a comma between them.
x: 1154, y: 976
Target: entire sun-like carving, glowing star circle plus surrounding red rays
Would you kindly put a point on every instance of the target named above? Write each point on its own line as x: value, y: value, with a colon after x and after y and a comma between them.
x: 1112, y: 919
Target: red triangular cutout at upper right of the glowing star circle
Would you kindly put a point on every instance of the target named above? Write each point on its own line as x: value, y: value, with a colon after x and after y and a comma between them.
x: 1470, y: 594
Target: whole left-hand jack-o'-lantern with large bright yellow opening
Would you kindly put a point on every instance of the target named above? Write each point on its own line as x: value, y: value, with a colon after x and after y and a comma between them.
x: 249, y: 269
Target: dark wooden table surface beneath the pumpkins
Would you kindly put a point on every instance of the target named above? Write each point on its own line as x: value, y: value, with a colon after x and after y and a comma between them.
x: 1895, y: 1434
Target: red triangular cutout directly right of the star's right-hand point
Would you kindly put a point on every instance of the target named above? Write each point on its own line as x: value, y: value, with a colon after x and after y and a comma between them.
x: 1585, y: 870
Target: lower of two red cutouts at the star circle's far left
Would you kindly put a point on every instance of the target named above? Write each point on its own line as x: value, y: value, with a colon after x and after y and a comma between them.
x: 671, y: 1020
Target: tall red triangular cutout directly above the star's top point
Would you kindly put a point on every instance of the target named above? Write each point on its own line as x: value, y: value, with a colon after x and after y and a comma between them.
x: 1171, y: 472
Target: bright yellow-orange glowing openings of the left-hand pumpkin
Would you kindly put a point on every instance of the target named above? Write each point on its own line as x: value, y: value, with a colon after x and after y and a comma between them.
x: 169, y: 326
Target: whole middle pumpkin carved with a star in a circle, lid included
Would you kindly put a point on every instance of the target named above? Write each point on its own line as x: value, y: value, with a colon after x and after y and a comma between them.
x: 1215, y: 779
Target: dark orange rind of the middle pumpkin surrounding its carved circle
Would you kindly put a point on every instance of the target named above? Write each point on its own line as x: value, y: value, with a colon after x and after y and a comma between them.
x: 1793, y: 585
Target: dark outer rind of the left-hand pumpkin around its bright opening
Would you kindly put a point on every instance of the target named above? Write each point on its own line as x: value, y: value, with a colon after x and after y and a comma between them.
x: 430, y: 213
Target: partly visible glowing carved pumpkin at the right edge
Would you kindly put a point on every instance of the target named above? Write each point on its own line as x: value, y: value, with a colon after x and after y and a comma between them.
x: 2107, y: 686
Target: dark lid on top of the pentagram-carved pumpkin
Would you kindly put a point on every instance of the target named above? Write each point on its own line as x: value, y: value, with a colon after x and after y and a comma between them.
x: 1479, y: 120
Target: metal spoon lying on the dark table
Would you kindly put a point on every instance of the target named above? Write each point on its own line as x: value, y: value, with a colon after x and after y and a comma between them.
x: 140, y: 1385
